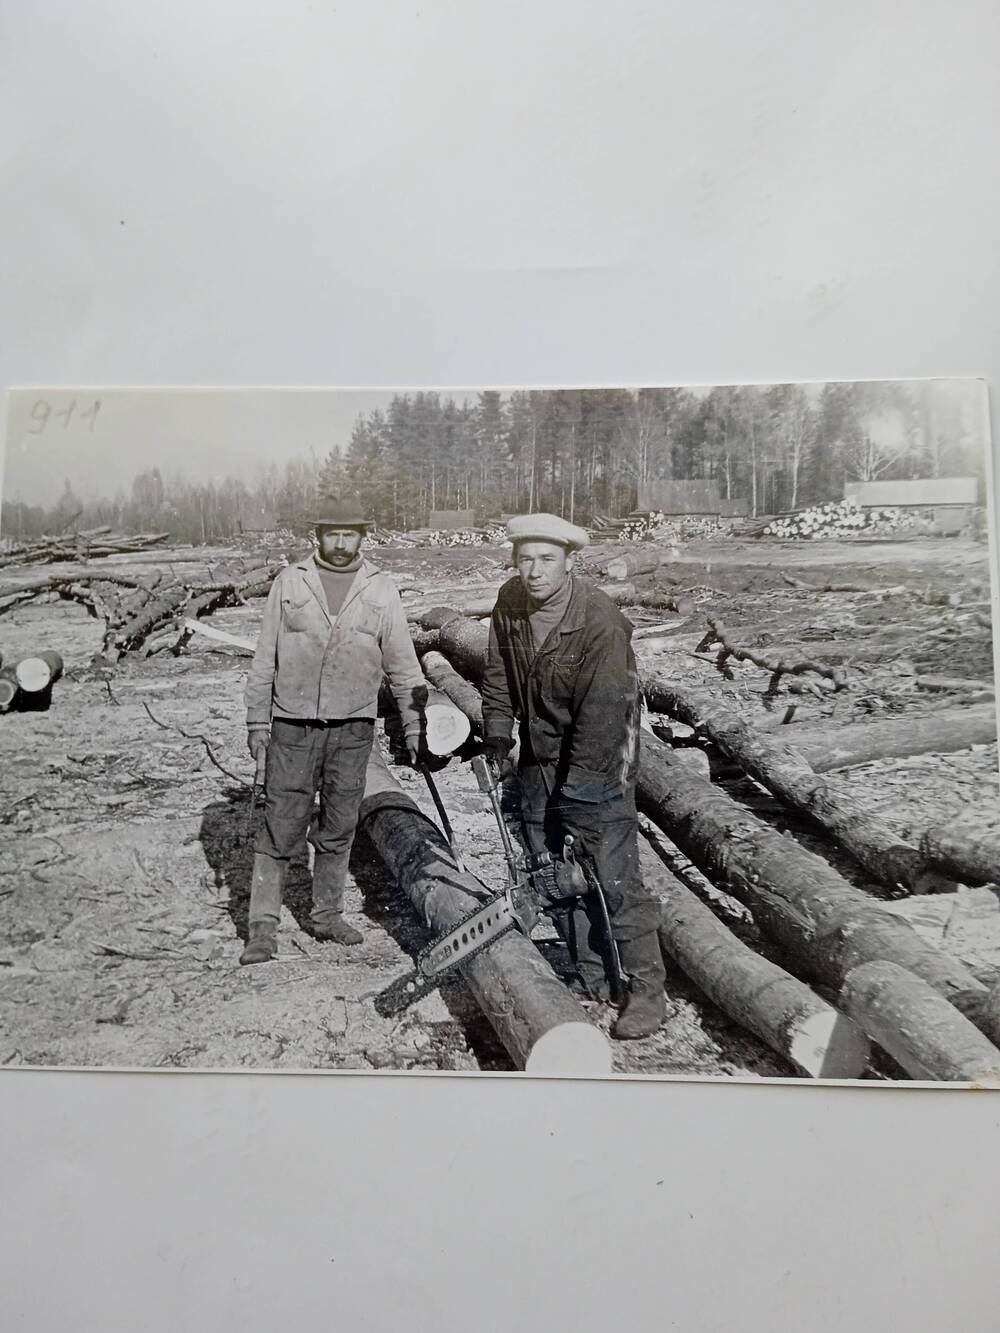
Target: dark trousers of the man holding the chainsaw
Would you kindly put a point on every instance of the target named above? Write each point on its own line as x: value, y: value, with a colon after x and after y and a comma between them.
x: 605, y: 832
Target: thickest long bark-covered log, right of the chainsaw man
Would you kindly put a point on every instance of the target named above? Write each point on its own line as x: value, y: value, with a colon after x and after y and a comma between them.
x: 825, y: 924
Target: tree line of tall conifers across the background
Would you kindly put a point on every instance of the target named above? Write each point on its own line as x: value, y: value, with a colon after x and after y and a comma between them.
x: 577, y: 453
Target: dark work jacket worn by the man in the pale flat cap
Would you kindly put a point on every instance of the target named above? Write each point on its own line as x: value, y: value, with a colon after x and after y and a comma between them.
x: 577, y: 700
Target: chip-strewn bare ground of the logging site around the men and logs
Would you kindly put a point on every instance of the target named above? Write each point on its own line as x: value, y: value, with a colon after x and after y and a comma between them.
x: 126, y: 811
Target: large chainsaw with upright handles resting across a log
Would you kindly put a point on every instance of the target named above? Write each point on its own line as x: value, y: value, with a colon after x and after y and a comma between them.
x: 533, y: 883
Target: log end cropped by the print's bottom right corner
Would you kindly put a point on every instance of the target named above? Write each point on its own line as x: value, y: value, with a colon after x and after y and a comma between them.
x: 918, y: 1027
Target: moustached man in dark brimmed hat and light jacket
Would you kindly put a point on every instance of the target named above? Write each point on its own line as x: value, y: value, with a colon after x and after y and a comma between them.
x: 333, y: 626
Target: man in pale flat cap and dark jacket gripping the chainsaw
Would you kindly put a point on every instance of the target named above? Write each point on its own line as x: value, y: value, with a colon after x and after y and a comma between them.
x: 561, y: 668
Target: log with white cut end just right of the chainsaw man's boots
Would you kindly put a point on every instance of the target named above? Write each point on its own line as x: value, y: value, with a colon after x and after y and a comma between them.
x: 790, y: 1018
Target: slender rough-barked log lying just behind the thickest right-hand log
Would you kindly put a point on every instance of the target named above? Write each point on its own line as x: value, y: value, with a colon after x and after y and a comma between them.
x: 789, y: 776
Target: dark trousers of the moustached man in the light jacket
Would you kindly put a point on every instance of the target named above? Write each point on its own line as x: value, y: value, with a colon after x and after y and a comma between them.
x: 306, y: 758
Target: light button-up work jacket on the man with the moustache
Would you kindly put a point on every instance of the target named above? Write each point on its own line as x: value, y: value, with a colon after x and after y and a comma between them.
x: 315, y: 666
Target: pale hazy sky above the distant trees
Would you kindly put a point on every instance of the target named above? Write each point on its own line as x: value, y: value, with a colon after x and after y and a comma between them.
x: 58, y: 435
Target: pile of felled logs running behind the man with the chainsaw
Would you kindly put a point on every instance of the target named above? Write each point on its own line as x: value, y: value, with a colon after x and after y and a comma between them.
x: 853, y: 972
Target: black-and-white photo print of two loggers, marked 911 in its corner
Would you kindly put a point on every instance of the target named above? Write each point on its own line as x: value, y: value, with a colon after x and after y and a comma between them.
x: 586, y: 732
